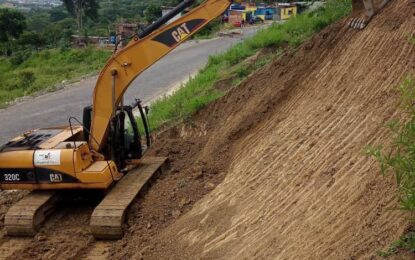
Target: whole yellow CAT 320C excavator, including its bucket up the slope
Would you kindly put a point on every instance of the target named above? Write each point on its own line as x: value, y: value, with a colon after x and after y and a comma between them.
x: 105, y: 151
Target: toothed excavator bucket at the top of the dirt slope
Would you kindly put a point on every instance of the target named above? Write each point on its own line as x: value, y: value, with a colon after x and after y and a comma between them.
x: 363, y: 12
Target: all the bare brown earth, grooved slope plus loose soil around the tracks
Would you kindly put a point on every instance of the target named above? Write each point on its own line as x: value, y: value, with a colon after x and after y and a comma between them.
x: 275, y: 169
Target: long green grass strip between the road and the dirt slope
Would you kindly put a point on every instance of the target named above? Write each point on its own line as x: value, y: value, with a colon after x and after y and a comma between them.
x: 200, y: 91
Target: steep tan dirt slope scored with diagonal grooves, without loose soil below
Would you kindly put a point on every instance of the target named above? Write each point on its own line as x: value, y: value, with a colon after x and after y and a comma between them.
x: 299, y: 185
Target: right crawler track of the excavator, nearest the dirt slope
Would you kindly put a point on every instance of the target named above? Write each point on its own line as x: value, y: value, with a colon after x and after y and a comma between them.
x: 108, y: 217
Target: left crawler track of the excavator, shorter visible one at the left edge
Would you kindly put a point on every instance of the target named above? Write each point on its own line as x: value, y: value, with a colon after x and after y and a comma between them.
x: 26, y: 216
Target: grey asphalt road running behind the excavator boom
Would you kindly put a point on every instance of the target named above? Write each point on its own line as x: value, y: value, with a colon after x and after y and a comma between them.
x: 55, y: 108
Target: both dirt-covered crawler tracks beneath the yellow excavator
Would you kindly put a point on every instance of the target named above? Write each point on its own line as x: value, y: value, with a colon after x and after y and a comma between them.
x: 27, y: 216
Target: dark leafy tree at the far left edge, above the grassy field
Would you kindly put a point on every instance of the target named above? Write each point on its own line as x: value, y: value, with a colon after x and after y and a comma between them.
x: 12, y: 24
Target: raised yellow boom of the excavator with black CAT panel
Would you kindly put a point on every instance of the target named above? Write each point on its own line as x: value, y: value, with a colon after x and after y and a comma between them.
x: 143, y: 51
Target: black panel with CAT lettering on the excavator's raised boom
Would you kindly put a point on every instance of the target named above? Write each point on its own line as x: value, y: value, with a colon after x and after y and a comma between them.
x: 178, y: 33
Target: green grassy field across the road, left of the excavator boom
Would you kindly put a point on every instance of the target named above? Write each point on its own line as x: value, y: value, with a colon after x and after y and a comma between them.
x: 25, y: 73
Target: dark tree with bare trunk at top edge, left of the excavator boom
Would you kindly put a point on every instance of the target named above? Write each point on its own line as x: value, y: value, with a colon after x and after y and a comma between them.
x: 82, y: 9
